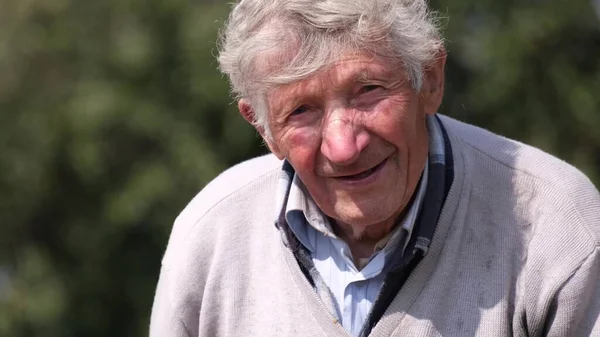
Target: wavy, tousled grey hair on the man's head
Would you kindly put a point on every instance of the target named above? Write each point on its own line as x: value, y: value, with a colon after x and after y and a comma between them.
x: 268, y: 43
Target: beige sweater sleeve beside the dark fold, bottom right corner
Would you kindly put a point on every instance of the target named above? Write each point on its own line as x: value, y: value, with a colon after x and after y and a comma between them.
x: 575, y: 309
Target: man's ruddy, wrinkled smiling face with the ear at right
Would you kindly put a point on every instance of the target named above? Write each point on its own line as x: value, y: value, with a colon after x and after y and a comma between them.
x: 356, y: 135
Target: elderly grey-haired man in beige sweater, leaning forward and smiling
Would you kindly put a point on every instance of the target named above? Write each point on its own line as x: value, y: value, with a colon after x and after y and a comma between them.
x: 374, y: 216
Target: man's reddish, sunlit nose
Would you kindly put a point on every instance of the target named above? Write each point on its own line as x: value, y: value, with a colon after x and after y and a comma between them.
x: 343, y: 140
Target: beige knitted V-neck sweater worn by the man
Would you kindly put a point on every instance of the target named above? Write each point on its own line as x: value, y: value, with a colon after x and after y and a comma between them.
x: 515, y: 252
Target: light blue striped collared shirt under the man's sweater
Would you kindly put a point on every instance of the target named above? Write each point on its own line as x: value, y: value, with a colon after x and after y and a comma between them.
x: 348, y: 292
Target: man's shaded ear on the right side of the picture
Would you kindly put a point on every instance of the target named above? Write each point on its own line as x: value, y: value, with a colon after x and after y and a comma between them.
x: 433, y: 84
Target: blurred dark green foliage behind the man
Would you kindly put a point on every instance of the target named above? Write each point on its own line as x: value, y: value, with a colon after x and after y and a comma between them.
x: 112, y: 116
